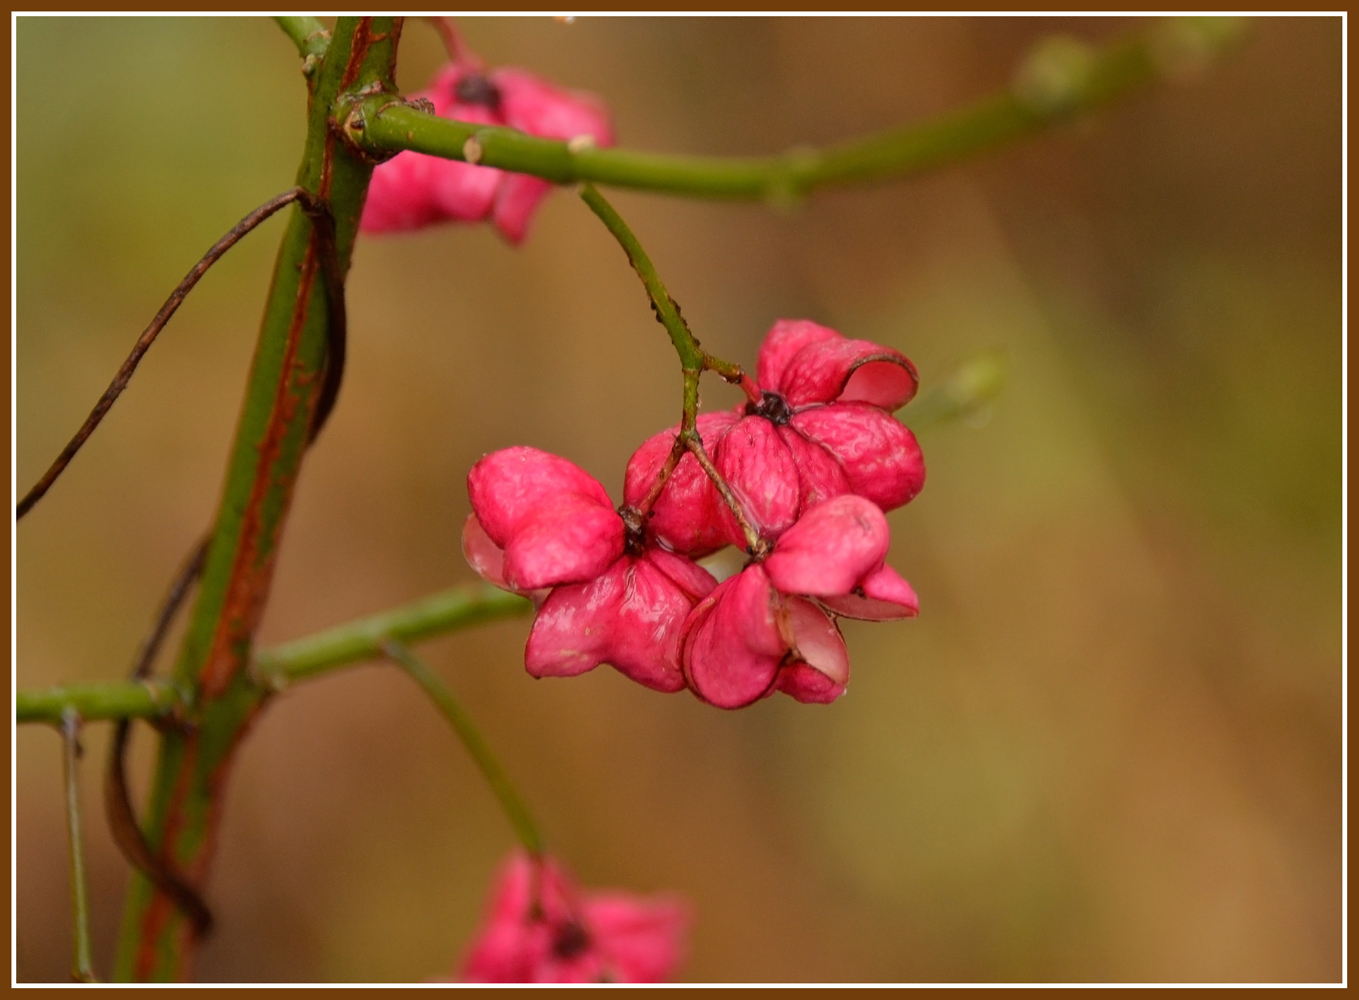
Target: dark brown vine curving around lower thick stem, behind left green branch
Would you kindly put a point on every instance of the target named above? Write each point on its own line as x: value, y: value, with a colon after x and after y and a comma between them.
x: 123, y: 821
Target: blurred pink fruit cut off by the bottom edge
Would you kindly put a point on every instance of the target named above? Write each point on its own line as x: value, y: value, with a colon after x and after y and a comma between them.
x: 542, y: 929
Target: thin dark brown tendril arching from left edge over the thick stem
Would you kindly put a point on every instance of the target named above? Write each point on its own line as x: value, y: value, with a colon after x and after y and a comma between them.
x: 320, y: 215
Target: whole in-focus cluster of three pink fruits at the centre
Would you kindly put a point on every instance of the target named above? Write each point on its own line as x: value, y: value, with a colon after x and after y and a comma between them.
x: 813, y: 465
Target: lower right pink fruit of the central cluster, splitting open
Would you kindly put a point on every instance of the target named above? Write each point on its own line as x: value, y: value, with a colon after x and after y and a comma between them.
x: 769, y: 628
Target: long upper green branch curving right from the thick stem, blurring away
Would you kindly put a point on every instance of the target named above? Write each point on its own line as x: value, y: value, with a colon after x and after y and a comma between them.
x: 1057, y: 84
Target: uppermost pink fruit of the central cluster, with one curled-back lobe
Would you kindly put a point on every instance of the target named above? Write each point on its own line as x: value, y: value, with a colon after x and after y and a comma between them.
x: 823, y: 429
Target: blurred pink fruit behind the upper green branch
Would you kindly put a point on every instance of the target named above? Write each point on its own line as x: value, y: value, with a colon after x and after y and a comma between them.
x: 412, y: 191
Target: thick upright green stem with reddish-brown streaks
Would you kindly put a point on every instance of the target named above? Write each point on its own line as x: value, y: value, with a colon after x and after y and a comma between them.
x: 221, y: 699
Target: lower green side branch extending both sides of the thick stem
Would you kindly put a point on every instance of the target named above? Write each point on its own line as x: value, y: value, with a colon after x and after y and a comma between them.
x: 301, y: 660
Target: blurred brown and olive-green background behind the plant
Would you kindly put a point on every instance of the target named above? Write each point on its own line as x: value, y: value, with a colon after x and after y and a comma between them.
x: 1110, y: 749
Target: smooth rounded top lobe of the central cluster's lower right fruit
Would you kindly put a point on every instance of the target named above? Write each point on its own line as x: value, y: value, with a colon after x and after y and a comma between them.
x: 831, y: 548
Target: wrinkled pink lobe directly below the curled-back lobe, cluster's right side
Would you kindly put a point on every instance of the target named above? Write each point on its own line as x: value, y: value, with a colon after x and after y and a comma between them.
x: 880, y: 456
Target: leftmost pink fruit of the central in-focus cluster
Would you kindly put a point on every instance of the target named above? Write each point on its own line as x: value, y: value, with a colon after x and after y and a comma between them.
x: 544, y: 528
